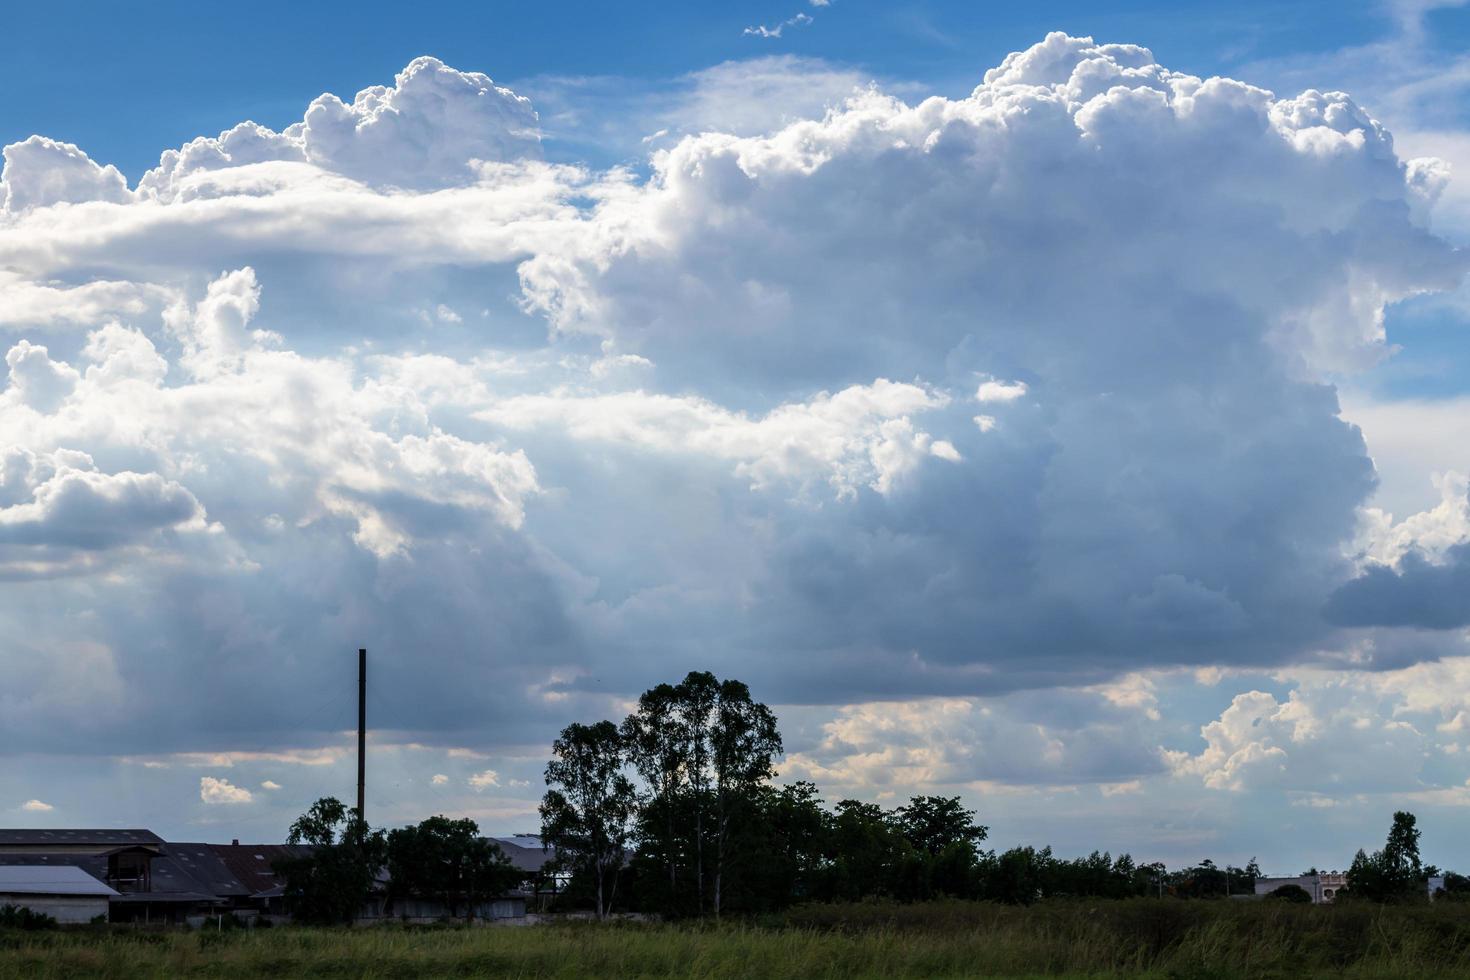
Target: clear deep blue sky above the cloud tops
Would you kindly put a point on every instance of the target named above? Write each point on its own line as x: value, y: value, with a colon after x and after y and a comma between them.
x: 198, y: 71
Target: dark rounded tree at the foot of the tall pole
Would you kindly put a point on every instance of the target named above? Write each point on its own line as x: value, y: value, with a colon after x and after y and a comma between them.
x: 336, y: 881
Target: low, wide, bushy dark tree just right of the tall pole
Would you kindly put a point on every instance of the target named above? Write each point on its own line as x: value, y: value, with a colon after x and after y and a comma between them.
x: 449, y: 862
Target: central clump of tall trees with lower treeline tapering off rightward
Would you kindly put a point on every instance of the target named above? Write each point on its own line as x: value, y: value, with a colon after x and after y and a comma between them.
x: 674, y: 812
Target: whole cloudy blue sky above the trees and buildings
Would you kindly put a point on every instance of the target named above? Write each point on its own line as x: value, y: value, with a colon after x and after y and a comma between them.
x: 1064, y: 409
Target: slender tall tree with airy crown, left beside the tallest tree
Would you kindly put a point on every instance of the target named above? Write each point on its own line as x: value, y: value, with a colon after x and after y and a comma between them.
x: 587, y: 815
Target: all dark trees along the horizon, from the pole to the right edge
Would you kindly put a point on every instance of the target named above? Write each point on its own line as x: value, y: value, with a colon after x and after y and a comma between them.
x: 675, y: 812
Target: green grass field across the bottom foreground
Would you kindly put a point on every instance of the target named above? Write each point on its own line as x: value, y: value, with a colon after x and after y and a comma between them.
x: 944, y: 940
